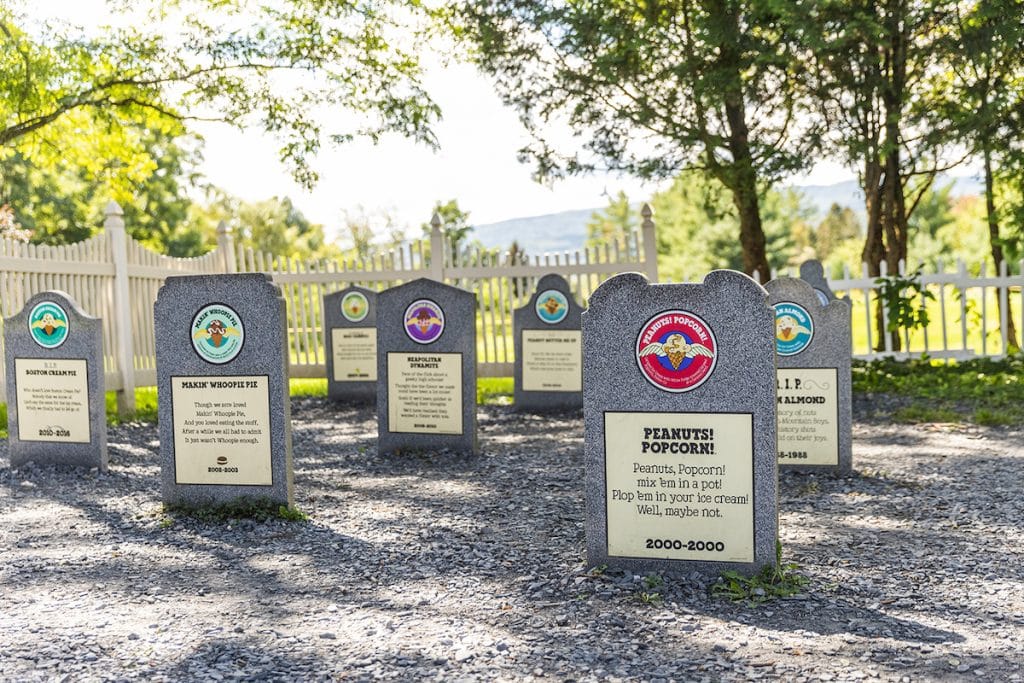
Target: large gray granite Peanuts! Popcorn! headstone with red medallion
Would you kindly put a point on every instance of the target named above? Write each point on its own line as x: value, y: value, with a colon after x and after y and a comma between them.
x: 679, y: 425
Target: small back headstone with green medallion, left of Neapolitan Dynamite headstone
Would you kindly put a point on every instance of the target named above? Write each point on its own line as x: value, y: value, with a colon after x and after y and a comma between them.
x: 351, y: 340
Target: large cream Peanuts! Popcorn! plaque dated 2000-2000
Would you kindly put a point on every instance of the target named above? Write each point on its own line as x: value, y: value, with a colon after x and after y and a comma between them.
x: 680, y: 486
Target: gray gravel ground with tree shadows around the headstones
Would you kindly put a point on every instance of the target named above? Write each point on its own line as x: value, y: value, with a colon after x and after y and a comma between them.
x: 451, y: 568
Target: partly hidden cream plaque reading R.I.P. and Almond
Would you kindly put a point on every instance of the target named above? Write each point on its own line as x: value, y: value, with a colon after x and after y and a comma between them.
x: 808, y: 416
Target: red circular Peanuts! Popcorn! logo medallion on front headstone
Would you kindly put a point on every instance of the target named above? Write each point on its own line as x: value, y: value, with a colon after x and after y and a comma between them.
x: 676, y: 352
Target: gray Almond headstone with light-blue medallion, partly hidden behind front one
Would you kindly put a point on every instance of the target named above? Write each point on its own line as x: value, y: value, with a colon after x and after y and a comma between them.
x: 815, y: 345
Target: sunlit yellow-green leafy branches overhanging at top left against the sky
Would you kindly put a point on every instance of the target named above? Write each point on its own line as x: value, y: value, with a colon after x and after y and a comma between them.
x: 242, y: 62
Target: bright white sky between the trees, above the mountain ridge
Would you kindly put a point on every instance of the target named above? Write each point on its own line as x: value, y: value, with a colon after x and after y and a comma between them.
x: 477, y: 163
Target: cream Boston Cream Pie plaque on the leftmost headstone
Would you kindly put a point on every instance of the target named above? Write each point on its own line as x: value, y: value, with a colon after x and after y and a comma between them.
x: 53, y: 401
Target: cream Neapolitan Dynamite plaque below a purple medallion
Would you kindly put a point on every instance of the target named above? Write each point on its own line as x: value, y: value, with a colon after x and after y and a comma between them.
x: 424, y: 394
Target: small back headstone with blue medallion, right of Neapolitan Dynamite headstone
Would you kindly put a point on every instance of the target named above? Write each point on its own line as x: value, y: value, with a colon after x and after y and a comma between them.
x: 549, y: 350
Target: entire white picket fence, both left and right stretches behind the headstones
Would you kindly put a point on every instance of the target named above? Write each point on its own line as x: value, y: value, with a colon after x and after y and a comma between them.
x: 116, y: 279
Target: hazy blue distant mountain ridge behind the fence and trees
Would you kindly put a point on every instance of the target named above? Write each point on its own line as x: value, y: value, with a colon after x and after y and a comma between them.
x: 567, y: 231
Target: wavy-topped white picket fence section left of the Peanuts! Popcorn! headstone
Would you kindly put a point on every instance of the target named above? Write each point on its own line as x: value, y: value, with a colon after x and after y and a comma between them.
x: 116, y: 279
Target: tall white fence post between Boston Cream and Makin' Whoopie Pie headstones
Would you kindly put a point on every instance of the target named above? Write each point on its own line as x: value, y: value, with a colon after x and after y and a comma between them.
x: 114, y: 225
